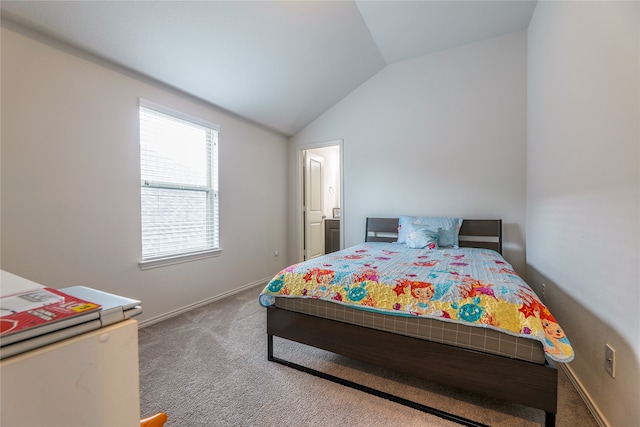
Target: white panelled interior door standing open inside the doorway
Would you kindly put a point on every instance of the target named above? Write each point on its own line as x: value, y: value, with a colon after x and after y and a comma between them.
x: 313, y: 206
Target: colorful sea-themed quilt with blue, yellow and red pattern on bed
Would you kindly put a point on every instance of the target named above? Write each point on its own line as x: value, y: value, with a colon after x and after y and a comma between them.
x: 472, y: 286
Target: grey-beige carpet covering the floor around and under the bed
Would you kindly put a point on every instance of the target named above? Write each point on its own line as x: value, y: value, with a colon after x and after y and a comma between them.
x: 209, y: 367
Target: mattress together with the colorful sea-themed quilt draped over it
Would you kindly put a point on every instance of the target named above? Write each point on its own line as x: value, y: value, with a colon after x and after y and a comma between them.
x: 467, y: 297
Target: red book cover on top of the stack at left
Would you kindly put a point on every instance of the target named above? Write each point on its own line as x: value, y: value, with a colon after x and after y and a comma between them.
x: 39, y: 307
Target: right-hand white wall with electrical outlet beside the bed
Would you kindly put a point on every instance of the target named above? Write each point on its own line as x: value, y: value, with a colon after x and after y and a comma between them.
x: 583, y: 188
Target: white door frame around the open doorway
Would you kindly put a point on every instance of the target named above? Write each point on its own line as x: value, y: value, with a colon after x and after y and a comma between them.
x: 300, y: 192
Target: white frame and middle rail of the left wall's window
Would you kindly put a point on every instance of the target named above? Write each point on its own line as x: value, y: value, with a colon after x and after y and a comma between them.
x: 212, y: 190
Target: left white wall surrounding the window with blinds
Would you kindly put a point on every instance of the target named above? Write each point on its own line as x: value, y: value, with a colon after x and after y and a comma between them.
x: 70, y: 181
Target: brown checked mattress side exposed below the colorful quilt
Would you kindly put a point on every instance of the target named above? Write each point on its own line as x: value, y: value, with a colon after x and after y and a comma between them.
x: 459, y: 335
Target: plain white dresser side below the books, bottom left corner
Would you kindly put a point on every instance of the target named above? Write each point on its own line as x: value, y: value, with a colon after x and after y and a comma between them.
x: 90, y: 379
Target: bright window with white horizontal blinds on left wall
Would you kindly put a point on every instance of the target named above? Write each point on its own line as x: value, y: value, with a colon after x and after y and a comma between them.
x: 179, y: 186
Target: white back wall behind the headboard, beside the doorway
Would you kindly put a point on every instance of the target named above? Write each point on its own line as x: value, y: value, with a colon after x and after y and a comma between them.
x: 443, y: 134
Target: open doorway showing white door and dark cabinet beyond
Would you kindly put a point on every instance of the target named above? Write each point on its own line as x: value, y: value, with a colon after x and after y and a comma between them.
x: 320, y: 199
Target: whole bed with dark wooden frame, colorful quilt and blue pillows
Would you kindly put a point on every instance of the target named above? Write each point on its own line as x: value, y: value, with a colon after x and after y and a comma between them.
x: 368, y: 313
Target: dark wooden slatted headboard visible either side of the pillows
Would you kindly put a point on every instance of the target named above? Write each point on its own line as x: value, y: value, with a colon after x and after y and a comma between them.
x: 474, y: 233
